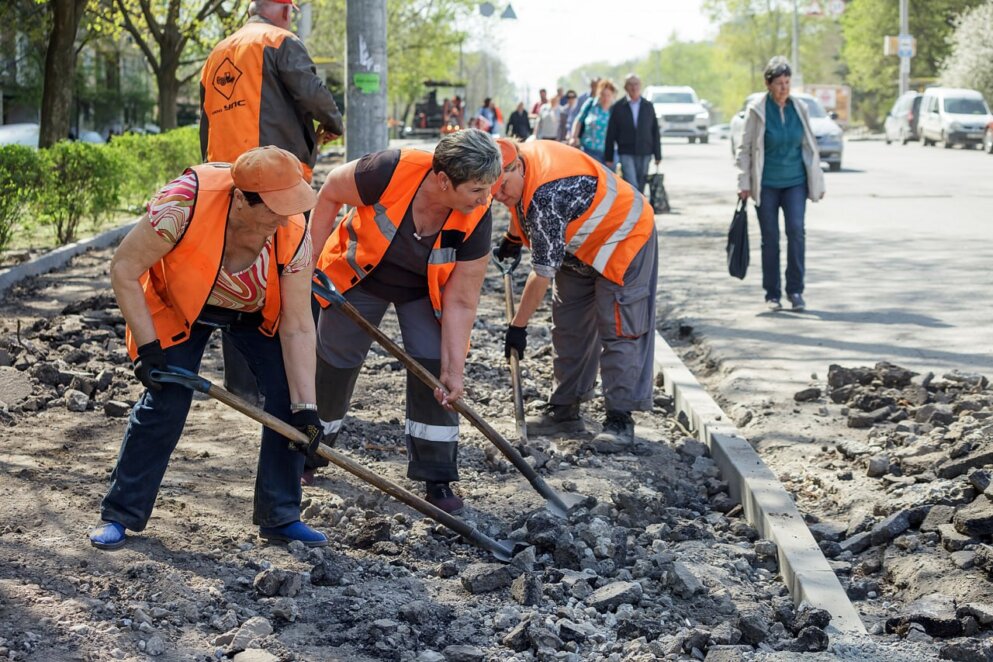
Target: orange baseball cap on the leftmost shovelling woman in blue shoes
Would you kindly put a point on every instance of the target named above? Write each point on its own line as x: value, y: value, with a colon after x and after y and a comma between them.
x: 277, y: 176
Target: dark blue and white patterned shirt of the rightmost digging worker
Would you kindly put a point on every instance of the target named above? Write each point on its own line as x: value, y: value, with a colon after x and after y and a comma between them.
x: 554, y: 205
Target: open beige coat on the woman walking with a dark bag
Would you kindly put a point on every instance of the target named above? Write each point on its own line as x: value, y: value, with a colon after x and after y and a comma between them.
x: 751, y: 152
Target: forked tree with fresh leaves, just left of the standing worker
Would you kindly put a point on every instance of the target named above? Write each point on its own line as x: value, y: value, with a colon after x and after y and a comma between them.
x: 174, y: 36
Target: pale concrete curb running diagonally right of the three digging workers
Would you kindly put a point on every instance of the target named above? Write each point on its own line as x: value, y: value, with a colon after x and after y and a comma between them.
x: 768, y: 507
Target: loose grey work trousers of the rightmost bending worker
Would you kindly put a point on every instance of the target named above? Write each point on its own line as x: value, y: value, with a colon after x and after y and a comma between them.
x: 598, y: 325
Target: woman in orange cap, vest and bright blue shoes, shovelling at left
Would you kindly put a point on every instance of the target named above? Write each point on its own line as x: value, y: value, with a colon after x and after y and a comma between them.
x: 244, y: 223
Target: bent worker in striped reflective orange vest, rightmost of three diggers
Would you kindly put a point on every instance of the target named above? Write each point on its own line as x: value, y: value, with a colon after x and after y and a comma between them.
x: 595, y: 235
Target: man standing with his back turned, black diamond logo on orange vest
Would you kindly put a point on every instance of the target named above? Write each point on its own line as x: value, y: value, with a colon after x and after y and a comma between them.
x: 260, y: 87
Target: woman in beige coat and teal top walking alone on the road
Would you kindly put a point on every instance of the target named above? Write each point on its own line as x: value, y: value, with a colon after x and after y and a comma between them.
x: 779, y: 167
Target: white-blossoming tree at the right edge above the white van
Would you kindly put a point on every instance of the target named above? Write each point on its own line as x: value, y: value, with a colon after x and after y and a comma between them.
x: 969, y: 64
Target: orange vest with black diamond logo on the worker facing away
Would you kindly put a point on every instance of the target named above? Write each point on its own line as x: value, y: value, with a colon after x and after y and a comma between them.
x: 236, y: 91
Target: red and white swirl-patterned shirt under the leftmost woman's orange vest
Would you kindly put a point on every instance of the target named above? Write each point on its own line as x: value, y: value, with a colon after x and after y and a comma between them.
x: 169, y: 214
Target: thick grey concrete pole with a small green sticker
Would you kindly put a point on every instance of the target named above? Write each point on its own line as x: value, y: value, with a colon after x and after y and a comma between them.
x: 365, y: 70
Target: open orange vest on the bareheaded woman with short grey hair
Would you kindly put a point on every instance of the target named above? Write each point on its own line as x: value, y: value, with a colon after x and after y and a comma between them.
x: 359, y: 242
